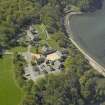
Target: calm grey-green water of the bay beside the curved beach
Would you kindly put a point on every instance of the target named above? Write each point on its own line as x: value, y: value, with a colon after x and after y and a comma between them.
x: 89, y: 32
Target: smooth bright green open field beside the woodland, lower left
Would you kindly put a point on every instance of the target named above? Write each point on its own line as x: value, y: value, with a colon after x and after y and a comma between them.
x: 10, y: 93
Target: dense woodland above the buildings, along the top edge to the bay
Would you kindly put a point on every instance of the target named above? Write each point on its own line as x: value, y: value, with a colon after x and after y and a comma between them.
x: 16, y: 14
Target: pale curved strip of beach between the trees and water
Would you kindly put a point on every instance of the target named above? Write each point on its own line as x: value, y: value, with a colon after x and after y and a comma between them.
x: 91, y: 60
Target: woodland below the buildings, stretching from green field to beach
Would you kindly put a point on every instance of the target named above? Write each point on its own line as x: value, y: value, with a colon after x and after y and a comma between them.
x: 78, y: 84
